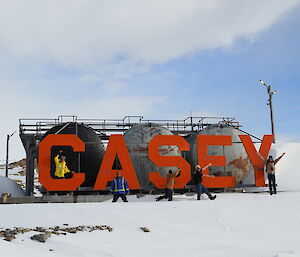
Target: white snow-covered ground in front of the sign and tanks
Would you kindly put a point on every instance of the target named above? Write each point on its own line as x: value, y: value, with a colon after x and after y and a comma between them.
x: 235, y: 224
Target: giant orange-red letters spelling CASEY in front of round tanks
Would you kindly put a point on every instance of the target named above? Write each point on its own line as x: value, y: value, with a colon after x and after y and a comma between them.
x: 117, y: 147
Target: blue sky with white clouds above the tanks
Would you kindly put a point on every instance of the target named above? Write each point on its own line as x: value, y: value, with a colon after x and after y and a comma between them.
x: 160, y: 59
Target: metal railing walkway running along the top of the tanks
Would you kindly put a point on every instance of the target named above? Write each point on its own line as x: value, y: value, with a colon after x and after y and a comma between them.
x: 109, y: 126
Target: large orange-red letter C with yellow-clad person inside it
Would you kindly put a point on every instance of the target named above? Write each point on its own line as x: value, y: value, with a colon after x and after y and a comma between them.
x: 45, y: 179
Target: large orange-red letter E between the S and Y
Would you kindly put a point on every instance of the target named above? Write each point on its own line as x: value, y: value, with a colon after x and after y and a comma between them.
x: 203, y: 141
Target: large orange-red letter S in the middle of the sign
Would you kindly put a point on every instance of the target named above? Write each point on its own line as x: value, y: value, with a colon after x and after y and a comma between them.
x: 169, y: 161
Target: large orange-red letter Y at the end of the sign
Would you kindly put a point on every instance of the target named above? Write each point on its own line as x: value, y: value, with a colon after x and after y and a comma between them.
x: 257, y: 163
